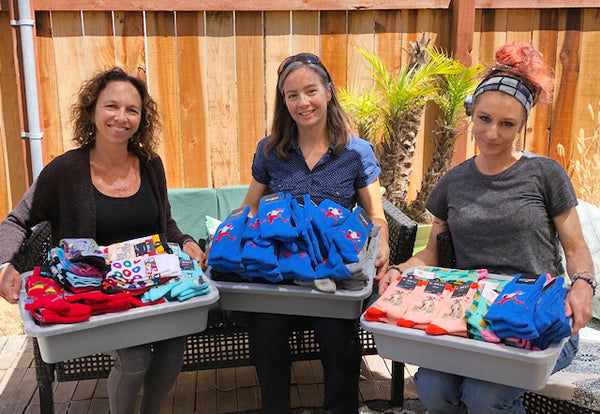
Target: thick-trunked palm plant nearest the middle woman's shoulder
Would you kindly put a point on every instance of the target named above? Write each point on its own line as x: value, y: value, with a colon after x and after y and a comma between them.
x: 400, y: 101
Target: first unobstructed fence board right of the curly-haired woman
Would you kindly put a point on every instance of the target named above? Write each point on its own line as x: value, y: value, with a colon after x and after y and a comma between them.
x: 193, y: 102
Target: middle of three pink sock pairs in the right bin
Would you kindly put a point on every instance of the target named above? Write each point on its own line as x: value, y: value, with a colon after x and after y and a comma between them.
x: 425, y: 305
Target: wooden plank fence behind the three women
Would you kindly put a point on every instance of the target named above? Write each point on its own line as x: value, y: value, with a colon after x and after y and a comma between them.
x: 213, y: 73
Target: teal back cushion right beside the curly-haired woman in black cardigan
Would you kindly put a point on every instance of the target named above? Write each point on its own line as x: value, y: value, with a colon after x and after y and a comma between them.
x: 189, y: 206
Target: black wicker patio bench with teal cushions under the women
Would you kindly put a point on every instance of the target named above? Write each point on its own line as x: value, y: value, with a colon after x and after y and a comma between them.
x: 223, y: 343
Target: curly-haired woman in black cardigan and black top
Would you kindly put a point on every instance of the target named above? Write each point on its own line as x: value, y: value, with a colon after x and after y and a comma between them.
x: 111, y: 188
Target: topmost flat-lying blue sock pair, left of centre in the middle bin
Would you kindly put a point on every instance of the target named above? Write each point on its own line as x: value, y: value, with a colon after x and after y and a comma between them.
x: 275, y: 213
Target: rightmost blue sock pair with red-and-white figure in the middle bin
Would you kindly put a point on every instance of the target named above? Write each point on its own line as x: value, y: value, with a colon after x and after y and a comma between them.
x: 351, y: 235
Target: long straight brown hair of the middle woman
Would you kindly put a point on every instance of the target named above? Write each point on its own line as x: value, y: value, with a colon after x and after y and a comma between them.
x: 284, y: 127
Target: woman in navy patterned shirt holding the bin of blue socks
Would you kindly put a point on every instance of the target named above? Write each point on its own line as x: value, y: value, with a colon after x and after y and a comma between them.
x: 311, y: 151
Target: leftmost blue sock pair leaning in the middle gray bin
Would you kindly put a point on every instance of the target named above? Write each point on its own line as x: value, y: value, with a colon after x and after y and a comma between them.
x: 225, y: 250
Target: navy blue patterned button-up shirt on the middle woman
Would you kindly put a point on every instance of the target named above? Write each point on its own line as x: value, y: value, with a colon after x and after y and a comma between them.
x: 336, y: 176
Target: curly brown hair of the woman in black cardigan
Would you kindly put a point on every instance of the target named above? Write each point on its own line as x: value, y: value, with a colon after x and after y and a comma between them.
x: 144, y: 141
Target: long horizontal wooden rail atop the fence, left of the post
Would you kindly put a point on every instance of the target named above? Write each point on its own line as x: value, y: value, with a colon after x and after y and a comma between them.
x: 235, y: 5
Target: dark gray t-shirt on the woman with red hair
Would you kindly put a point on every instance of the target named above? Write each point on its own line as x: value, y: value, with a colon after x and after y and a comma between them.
x: 503, y: 222
